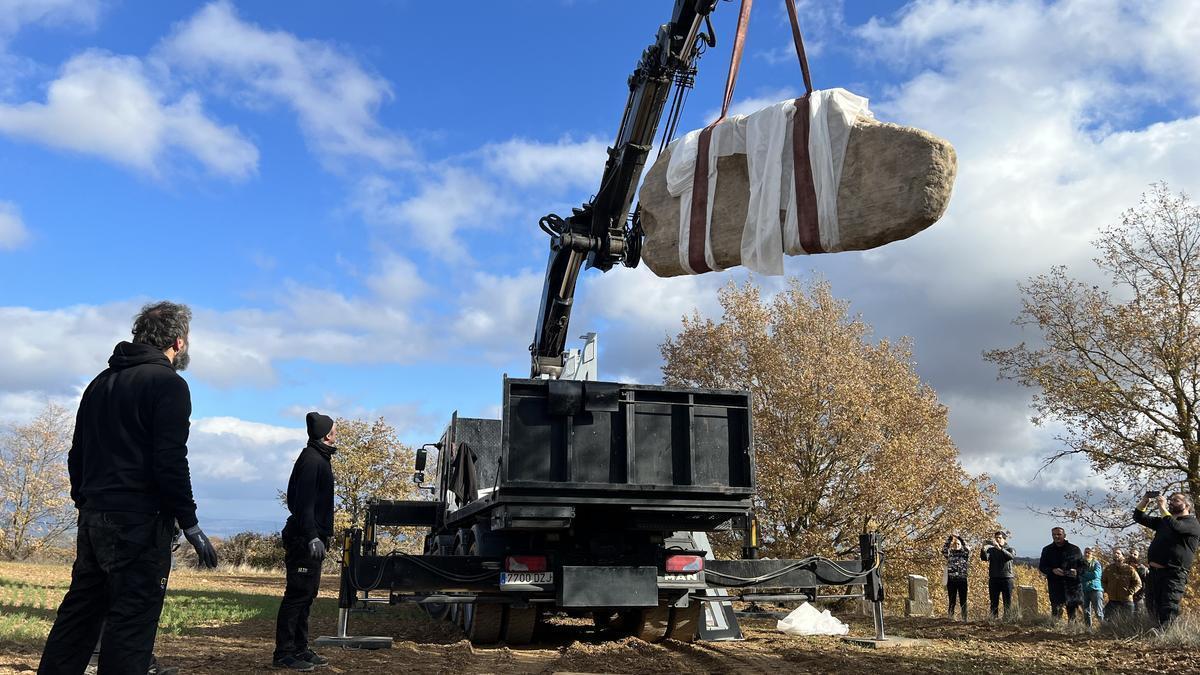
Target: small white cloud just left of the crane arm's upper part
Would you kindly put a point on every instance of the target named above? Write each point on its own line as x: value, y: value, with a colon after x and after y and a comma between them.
x: 549, y: 166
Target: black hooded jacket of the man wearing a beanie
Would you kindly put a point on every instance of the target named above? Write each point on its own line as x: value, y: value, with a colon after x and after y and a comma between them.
x: 311, y: 494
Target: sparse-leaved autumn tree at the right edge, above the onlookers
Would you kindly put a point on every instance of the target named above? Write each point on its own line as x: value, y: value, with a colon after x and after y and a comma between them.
x: 1119, y: 368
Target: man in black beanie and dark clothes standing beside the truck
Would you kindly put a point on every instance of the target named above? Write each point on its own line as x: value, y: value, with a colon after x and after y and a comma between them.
x: 307, y: 539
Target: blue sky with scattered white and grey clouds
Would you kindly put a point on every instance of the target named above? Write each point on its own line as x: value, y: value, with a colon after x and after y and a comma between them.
x: 349, y: 200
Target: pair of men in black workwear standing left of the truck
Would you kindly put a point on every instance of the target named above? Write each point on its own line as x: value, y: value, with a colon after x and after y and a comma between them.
x: 131, y: 485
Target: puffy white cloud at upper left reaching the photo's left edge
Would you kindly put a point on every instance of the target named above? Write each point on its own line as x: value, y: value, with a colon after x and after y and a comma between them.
x: 106, y: 105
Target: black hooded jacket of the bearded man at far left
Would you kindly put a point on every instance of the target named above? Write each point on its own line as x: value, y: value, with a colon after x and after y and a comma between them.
x: 130, y: 445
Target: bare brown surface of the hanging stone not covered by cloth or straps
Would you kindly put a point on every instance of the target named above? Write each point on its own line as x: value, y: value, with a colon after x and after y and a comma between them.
x: 896, y: 182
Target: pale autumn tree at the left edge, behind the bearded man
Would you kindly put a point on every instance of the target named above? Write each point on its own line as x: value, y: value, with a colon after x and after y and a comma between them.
x: 35, y: 491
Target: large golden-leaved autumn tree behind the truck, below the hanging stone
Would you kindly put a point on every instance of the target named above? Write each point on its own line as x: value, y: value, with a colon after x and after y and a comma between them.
x: 847, y: 435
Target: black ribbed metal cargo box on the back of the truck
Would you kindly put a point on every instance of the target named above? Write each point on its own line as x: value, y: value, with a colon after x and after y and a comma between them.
x: 643, y: 438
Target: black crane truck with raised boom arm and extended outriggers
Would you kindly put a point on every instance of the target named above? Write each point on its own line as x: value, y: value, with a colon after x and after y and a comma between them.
x: 593, y: 498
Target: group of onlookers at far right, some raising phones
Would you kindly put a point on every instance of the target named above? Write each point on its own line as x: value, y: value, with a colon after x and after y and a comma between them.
x: 1077, y: 580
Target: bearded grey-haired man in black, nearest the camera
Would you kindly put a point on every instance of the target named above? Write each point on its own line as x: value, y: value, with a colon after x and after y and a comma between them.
x: 131, y: 485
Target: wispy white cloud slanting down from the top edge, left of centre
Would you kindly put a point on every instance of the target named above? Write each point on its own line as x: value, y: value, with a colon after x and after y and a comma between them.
x: 334, y: 98
